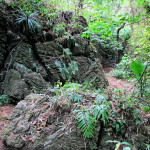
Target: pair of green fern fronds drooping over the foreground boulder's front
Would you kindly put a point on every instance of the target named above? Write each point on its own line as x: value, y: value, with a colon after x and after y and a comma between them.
x: 86, y: 118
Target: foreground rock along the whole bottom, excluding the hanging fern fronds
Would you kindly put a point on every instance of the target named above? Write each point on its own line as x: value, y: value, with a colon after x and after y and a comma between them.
x: 46, y: 121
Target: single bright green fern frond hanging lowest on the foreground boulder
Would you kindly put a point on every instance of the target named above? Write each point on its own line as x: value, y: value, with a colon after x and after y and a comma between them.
x: 86, y: 122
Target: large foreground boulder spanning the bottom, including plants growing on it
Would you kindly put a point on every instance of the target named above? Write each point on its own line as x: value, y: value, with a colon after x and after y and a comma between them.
x: 47, y: 122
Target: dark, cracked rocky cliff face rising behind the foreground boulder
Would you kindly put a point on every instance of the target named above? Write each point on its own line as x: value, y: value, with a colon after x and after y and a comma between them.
x: 29, y: 64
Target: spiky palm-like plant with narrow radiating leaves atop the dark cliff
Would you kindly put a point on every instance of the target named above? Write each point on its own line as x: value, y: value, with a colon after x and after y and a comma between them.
x: 28, y: 22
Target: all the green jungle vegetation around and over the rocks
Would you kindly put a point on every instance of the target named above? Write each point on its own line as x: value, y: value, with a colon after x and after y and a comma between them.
x: 124, y: 24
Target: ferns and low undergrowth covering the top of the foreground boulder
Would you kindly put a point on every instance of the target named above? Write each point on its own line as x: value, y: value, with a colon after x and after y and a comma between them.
x: 112, y: 108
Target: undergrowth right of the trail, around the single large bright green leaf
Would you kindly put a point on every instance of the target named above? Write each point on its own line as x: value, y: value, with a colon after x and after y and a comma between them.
x: 136, y: 72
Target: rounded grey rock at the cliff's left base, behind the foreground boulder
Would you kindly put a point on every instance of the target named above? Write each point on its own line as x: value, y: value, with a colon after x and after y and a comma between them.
x: 19, y: 83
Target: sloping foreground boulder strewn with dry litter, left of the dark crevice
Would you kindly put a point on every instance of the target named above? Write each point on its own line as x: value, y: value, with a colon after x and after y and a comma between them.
x: 37, y: 123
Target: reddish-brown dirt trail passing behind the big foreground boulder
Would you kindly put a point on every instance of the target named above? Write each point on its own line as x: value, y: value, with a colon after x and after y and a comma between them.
x: 5, y: 111
